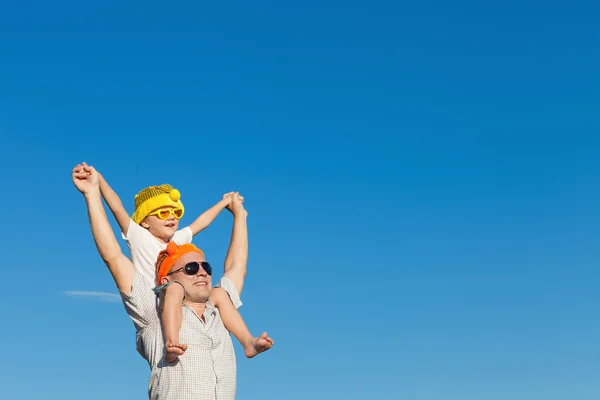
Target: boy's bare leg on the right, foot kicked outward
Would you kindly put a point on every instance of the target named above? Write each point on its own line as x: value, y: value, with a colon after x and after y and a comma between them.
x: 233, y: 321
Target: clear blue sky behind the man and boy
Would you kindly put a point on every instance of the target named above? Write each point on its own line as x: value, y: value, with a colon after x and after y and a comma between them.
x: 421, y: 181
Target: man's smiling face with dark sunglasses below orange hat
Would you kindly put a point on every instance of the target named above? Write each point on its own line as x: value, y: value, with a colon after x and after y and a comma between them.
x: 197, y: 286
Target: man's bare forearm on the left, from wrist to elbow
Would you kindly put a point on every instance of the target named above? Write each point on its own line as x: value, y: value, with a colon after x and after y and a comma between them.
x: 105, y: 240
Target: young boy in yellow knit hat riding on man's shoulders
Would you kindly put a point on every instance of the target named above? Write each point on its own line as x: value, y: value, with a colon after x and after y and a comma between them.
x: 151, y: 228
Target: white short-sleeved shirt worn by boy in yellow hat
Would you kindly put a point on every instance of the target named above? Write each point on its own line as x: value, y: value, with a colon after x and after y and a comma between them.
x: 144, y: 248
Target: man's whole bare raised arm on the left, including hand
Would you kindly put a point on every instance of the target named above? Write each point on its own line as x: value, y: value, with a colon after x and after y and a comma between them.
x: 85, y: 179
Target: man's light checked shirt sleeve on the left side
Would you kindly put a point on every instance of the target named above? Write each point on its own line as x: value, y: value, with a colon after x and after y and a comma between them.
x: 141, y: 303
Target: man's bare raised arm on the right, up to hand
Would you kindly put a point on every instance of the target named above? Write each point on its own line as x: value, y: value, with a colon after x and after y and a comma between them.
x: 237, y: 255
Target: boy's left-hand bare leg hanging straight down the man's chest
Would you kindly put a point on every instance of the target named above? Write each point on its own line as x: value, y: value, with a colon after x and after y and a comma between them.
x: 171, y: 321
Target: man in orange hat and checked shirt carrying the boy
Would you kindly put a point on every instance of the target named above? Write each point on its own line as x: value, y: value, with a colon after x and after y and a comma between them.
x: 208, y: 370
